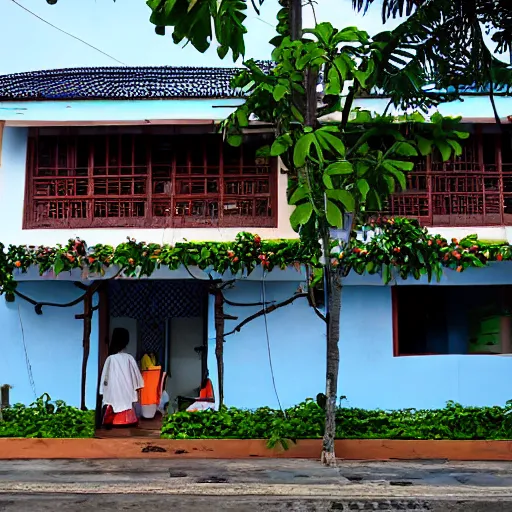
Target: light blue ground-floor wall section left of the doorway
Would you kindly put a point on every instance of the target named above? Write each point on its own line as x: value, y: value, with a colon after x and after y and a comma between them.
x: 53, y: 344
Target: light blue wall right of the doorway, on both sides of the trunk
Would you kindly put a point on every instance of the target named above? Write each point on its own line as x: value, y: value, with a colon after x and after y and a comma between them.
x: 369, y: 376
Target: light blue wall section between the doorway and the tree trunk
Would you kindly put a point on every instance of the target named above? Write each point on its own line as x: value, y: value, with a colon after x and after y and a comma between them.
x: 297, y: 344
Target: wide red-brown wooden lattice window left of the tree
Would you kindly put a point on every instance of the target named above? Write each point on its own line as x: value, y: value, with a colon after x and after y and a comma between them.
x: 126, y: 180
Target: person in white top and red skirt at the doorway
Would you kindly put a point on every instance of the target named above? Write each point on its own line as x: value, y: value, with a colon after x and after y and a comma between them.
x: 120, y: 381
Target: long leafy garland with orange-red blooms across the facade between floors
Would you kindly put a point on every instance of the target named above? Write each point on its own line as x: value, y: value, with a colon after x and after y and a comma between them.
x: 399, y: 248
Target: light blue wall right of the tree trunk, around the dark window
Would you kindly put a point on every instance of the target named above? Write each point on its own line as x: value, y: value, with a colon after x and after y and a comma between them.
x: 371, y: 377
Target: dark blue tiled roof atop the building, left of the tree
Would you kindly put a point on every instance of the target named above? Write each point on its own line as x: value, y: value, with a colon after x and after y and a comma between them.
x: 120, y: 83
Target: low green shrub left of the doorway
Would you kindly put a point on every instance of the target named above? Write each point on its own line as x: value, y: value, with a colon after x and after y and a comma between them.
x: 48, y: 419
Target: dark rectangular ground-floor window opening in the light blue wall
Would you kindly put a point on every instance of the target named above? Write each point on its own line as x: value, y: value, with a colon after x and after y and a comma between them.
x: 452, y: 320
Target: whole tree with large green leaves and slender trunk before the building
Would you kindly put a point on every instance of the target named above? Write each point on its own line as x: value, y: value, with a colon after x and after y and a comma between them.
x: 349, y: 166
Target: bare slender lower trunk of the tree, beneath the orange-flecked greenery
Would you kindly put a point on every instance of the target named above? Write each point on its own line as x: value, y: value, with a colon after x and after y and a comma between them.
x: 333, y: 363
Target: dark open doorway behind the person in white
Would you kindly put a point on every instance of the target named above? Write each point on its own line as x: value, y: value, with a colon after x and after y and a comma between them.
x: 167, y: 319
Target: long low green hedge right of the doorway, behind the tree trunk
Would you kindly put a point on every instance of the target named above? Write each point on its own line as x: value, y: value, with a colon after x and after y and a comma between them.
x: 306, y: 421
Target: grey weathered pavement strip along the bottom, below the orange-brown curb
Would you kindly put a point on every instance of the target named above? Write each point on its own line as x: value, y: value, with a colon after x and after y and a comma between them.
x: 259, y: 484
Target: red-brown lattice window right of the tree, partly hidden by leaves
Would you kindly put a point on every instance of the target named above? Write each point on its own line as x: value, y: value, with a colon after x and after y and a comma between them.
x: 474, y: 189
